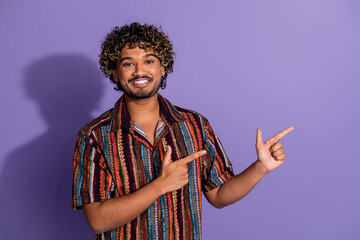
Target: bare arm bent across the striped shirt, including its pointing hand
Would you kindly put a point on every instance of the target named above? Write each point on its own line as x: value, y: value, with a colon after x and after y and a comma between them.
x: 112, y: 213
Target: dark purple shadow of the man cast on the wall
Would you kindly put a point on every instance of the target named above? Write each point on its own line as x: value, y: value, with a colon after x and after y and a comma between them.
x: 36, y: 180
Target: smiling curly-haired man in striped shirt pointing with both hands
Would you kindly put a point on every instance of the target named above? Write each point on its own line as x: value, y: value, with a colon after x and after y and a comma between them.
x: 140, y: 168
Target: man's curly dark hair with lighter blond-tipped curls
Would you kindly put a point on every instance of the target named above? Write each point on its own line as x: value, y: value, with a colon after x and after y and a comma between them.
x: 147, y: 37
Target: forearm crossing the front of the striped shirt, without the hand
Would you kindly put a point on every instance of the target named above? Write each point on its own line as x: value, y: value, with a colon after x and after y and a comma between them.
x: 116, y: 212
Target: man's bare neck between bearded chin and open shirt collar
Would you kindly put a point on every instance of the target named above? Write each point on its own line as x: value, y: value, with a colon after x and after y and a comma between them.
x: 142, y: 110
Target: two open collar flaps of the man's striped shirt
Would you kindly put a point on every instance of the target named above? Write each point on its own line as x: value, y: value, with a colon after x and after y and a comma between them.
x: 121, y: 117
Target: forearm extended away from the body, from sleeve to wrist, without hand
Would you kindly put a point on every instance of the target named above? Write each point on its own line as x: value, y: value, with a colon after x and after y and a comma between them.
x: 240, y: 185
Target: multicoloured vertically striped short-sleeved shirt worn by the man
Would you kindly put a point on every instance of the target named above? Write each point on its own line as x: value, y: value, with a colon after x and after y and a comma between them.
x: 113, y: 158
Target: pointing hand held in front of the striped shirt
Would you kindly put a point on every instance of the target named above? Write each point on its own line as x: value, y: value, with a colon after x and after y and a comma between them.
x: 174, y: 175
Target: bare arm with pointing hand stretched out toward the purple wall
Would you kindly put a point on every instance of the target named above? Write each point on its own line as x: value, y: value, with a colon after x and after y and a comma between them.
x: 271, y: 155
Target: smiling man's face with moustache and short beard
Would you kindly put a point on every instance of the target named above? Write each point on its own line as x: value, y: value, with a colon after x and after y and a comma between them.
x: 138, y: 72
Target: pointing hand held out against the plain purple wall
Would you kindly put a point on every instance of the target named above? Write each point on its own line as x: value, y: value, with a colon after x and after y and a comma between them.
x: 271, y: 155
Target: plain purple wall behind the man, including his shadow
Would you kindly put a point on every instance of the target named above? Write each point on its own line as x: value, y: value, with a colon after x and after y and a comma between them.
x: 243, y: 64
